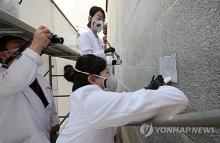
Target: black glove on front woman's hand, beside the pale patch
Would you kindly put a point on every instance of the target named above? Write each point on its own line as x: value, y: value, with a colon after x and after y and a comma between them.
x: 156, y: 83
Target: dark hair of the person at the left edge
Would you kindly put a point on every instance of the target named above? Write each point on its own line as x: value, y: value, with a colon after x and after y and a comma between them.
x: 5, y: 39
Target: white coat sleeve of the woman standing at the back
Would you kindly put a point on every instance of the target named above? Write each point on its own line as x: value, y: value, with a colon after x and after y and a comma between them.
x: 86, y: 46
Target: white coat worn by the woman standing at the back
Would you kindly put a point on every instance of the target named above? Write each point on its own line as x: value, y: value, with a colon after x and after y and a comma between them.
x: 90, y: 44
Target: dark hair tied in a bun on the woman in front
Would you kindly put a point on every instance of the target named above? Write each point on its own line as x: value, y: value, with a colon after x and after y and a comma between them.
x: 86, y: 63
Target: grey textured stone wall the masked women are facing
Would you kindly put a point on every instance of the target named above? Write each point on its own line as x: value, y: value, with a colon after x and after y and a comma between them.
x: 142, y: 31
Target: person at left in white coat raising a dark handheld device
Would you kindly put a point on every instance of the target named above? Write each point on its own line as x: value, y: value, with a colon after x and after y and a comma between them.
x: 27, y: 110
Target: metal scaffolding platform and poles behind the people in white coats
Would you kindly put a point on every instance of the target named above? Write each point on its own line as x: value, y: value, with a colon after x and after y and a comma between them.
x: 10, y: 25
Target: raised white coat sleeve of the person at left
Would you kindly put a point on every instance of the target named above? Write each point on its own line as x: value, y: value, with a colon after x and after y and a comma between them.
x: 20, y: 73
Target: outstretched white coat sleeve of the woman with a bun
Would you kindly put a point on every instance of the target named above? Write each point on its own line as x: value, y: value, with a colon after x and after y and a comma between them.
x: 117, y: 109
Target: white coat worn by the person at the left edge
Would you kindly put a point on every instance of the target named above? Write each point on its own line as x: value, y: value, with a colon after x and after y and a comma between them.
x: 23, y: 117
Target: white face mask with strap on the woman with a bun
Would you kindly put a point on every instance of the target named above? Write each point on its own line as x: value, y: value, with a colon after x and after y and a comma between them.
x: 109, y: 83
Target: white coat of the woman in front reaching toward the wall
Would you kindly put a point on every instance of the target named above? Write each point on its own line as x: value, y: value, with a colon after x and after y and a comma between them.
x: 94, y: 112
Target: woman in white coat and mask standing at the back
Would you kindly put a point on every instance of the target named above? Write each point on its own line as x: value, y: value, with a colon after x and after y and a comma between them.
x: 90, y: 43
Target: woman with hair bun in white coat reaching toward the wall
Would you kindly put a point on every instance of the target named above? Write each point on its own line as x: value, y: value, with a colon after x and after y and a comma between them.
x: 94, y: 112
